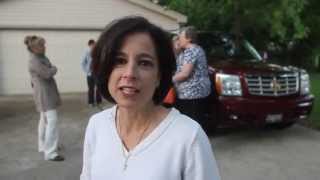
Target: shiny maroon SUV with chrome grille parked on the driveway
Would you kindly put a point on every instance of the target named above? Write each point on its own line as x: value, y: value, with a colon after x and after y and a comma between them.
x: 248, y: 89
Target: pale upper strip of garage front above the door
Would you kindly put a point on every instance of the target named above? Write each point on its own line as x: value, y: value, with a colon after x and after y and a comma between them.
x: 73, y: 13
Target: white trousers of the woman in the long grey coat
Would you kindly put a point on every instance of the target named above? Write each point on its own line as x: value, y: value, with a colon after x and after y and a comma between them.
x: 48, y: 134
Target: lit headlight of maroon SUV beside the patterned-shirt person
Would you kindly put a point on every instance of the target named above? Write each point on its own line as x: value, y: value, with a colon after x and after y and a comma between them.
x: 228, y: 85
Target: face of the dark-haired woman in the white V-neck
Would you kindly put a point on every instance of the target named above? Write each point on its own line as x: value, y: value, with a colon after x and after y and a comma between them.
x: 135, y: 75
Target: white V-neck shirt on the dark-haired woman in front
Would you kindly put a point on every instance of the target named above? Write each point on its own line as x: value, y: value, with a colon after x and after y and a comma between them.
x: 178, y: 149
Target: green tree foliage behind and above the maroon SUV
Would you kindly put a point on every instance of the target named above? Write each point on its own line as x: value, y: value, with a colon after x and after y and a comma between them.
x: 290, y: 25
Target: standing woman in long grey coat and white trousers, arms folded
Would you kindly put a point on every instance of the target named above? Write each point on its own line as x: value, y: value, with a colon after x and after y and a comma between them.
x: 46, y: 97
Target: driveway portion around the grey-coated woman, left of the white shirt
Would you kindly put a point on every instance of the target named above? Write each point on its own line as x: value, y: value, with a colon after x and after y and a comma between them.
x: 19, y: 158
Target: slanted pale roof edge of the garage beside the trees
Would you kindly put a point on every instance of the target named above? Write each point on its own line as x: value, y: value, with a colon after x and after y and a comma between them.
x: 180, y: 18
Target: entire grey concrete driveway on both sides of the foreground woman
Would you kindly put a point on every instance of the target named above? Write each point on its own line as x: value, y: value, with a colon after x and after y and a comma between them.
x: 292, y: 154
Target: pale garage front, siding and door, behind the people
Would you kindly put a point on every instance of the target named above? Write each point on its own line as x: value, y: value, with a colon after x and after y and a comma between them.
x: 66, y: 25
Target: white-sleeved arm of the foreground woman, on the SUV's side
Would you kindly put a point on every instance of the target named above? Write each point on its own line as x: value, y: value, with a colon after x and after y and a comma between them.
x: 200, y: 163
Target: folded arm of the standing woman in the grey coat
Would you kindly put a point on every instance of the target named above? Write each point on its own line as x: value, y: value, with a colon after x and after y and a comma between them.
x: 42, y: 70
